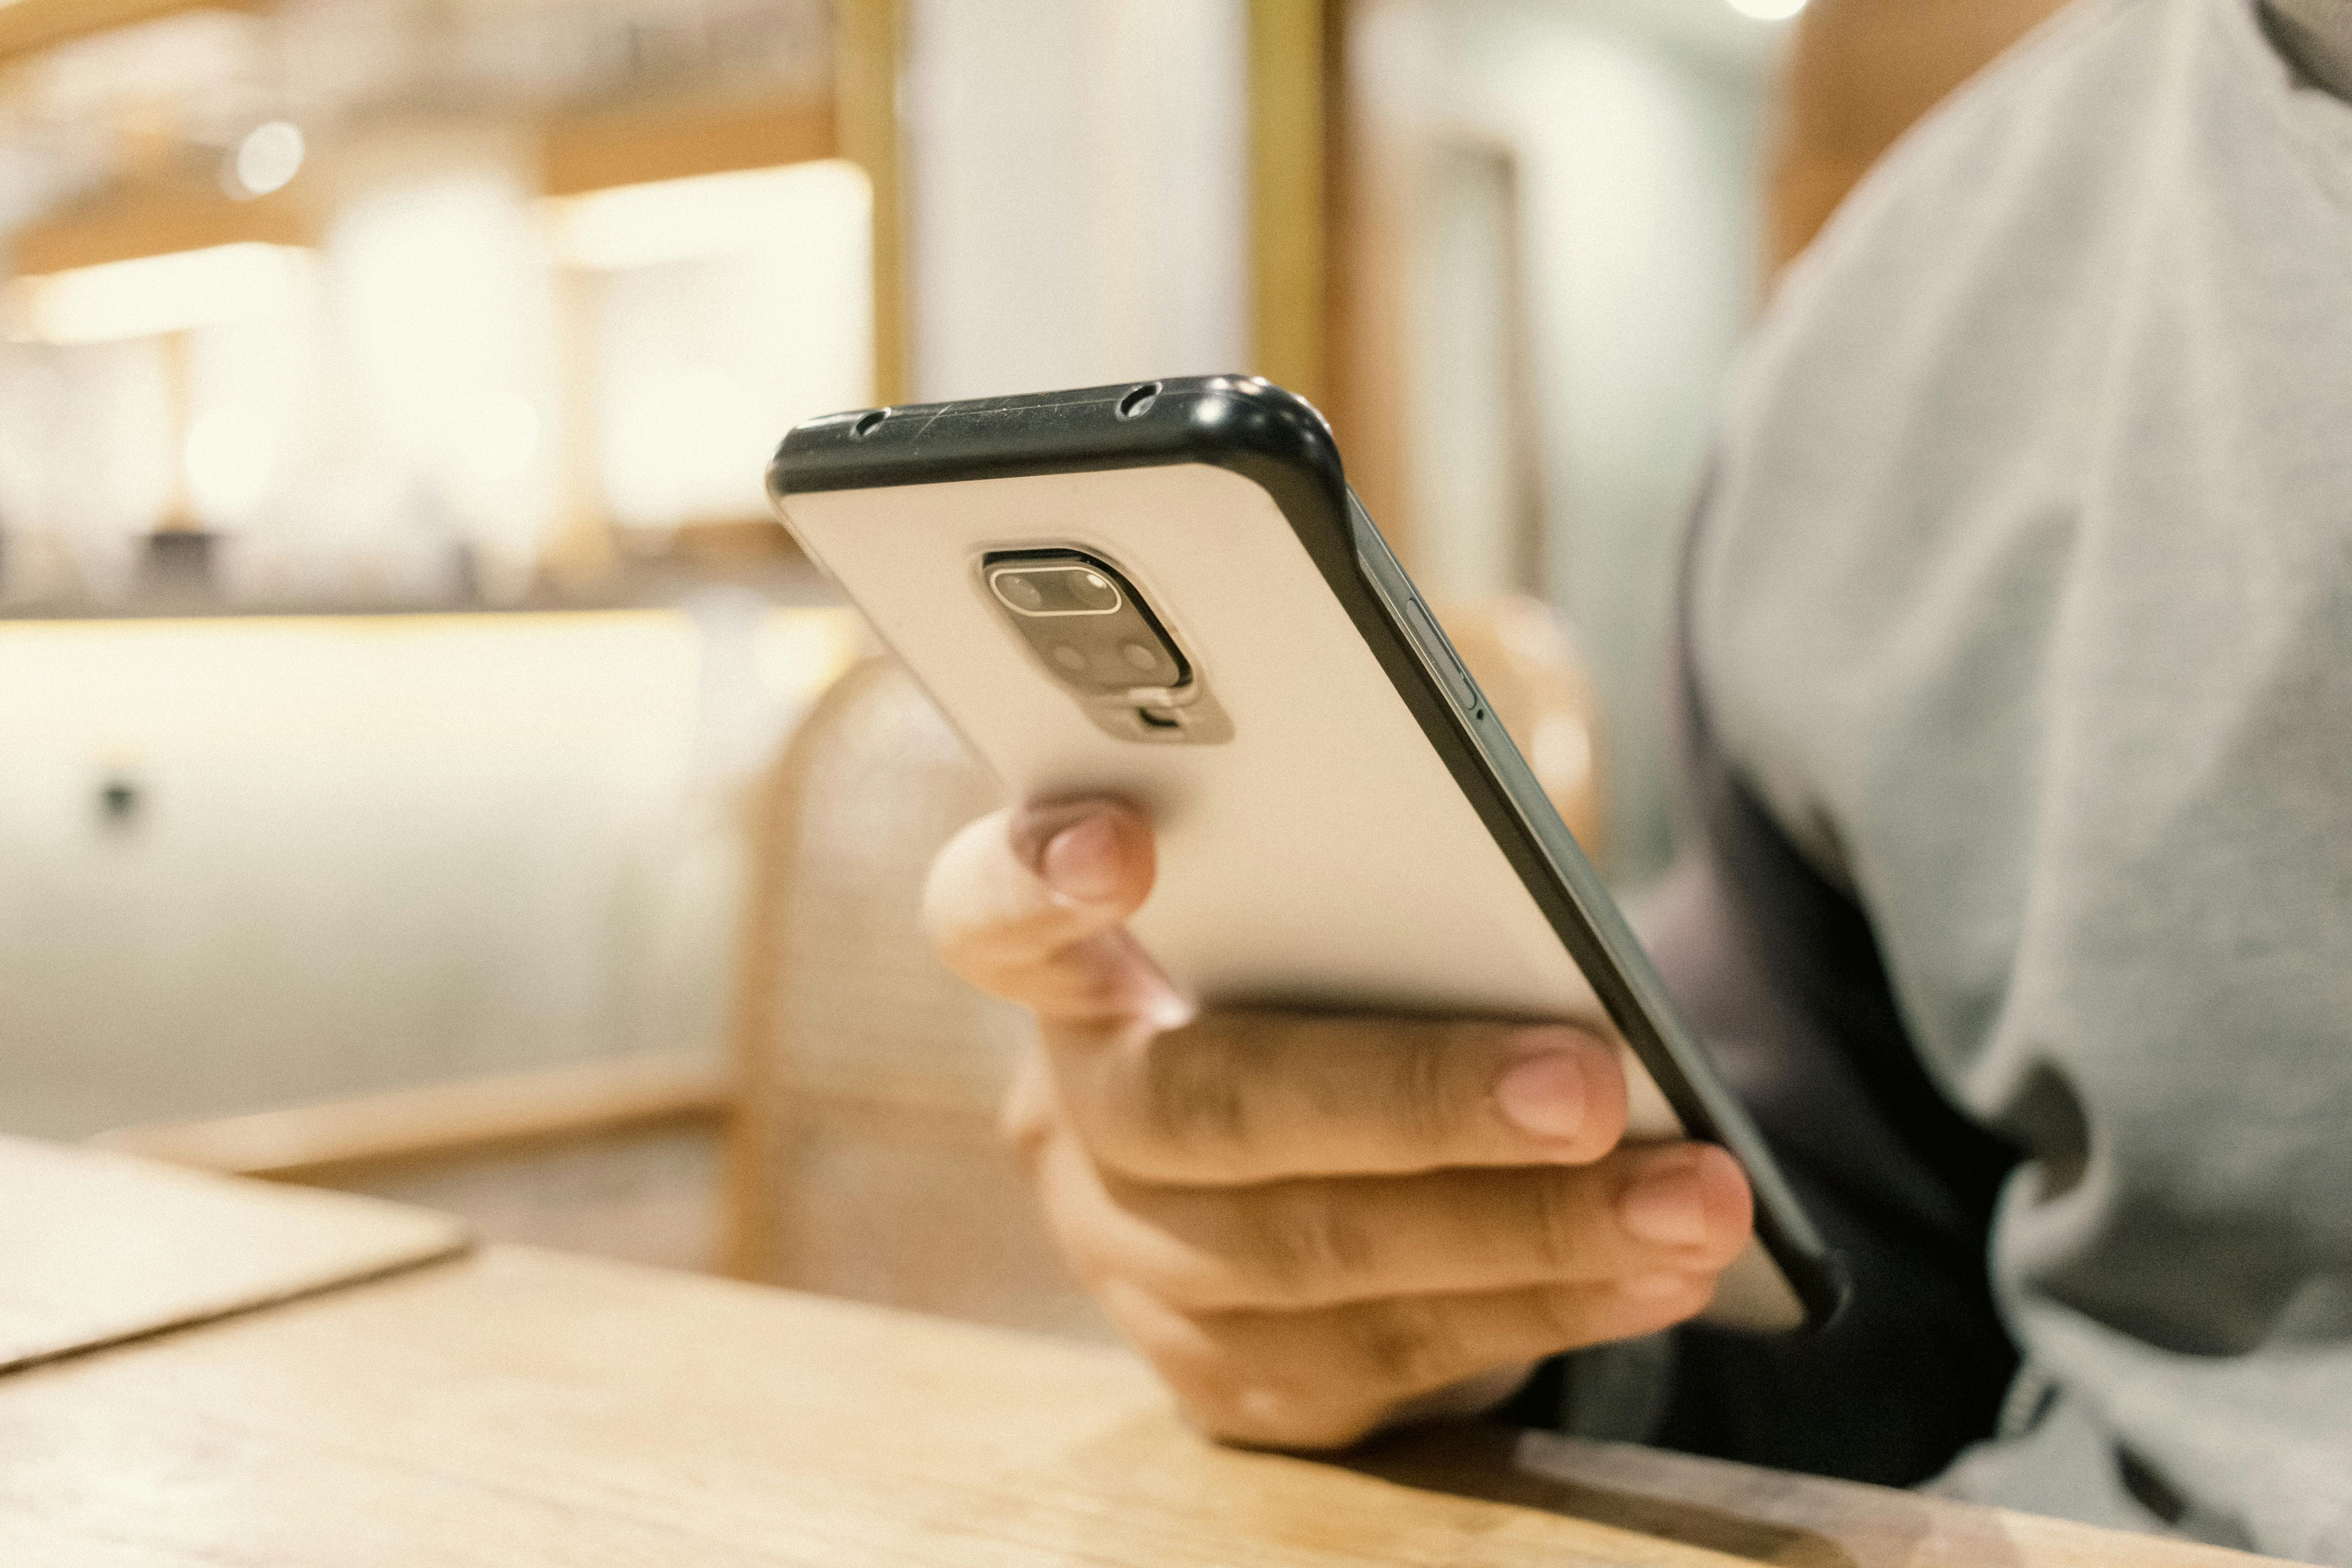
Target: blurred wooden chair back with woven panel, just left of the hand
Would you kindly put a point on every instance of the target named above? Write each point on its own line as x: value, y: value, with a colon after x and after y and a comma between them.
x: 864, y: 1155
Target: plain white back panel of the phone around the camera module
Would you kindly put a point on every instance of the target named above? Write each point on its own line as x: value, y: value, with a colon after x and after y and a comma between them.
x: 1318, y: 857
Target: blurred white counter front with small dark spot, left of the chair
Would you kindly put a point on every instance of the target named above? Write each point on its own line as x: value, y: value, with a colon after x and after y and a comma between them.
x: 373, y: 852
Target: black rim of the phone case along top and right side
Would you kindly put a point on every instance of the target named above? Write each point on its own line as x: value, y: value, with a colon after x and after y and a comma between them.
x: 1283, y: 445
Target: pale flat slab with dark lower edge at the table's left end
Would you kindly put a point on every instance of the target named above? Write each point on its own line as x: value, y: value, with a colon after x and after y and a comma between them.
x: 100, y: 1247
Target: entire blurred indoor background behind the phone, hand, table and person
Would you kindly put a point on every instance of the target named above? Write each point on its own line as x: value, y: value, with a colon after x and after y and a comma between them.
x: 425, y: 768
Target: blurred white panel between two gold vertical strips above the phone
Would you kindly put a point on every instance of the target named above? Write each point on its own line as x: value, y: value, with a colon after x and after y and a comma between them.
x: 1078, y: 192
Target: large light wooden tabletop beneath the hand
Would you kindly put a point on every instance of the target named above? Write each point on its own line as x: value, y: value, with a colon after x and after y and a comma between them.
x: 519, y: 1407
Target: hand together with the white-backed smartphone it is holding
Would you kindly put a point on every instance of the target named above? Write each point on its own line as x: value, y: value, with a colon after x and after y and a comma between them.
x: 1438, y: 1115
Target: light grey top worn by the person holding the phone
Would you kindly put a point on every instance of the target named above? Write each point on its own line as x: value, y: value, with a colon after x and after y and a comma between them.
x: 2024, y: 601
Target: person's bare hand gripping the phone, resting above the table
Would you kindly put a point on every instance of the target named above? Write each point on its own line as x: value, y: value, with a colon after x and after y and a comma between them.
x: 1316, y: 1224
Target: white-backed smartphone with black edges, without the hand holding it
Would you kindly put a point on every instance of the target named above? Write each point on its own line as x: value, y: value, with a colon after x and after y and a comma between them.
x: 1168, y: 594
